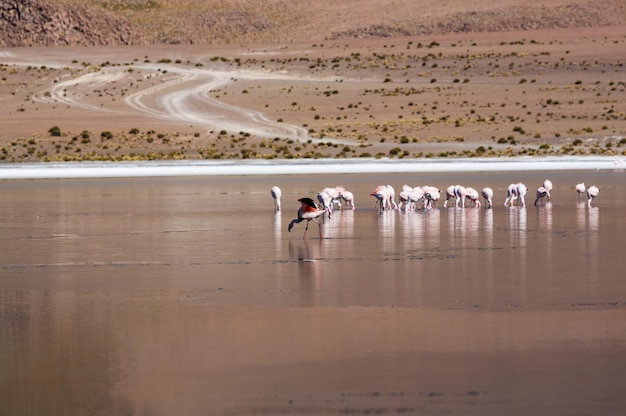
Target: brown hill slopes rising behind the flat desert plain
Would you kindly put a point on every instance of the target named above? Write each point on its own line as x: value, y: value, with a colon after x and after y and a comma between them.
x: 126, y: 22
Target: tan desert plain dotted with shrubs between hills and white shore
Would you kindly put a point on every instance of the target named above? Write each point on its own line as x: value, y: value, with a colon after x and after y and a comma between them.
x: 533, y: 92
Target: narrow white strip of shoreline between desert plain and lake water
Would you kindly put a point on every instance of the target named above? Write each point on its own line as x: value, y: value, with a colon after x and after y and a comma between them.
x: 83, y: 170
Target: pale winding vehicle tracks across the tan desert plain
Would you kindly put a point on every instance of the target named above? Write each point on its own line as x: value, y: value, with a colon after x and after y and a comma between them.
x: 182, y: 96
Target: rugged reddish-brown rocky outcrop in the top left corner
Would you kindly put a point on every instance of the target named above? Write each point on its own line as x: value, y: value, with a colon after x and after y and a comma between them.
x: 44, y: 23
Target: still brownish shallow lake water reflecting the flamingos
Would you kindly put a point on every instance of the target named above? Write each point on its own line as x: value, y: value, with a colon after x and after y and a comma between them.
x: 189, y: 296
